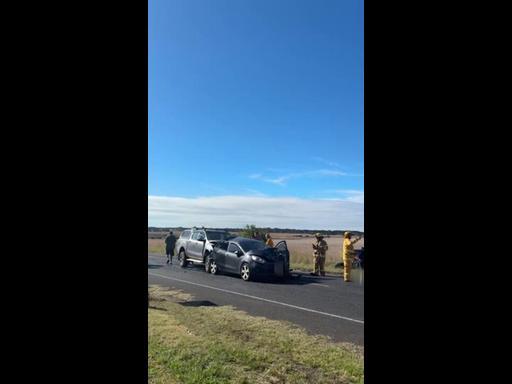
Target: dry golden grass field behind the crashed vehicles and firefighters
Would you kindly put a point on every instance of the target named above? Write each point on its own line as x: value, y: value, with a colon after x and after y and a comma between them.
x: 301, y: 250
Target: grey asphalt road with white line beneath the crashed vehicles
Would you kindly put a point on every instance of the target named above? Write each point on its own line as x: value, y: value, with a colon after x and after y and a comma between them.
x: 322, y: 305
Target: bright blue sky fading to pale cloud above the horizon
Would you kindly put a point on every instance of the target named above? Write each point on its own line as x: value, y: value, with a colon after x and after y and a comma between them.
x: 256, y: 99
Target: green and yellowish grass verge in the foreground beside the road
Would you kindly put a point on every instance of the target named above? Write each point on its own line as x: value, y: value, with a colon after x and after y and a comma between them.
x: 213, y: 345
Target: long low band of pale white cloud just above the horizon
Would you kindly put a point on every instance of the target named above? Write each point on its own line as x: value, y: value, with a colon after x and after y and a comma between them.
x: 237, y: 211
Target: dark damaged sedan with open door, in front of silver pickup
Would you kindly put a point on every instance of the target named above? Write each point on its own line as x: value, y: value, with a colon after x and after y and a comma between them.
x: 249, y: 258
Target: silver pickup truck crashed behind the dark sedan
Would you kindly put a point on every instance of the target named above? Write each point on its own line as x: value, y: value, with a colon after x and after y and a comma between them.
x: 195, y: 244
